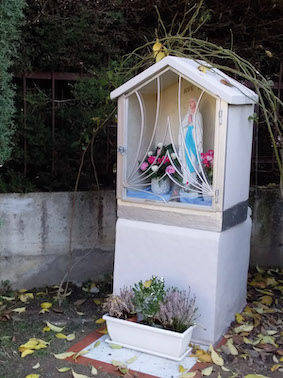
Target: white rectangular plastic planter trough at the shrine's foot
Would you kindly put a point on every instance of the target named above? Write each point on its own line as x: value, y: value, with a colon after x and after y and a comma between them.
x: 157, y: 341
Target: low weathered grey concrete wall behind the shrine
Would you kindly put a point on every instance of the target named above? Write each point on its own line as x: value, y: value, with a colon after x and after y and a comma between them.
x: 35, y: 230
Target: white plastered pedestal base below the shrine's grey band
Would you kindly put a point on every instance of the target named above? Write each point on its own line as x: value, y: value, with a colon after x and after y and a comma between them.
x: 213, y: 264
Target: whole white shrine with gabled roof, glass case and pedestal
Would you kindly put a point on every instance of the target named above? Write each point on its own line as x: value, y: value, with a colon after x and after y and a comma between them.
x: 183, y: 169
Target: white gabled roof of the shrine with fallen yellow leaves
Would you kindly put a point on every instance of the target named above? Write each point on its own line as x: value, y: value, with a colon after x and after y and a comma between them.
x: 209, y: 80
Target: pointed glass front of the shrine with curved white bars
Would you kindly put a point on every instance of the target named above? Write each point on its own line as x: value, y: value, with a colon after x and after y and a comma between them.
x: 170, y: 142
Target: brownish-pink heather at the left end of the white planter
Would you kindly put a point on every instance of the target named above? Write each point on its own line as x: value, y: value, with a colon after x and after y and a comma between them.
x: 120, y: 306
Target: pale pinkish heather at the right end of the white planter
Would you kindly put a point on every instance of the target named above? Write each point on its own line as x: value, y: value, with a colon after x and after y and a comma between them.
x: 177, y: 311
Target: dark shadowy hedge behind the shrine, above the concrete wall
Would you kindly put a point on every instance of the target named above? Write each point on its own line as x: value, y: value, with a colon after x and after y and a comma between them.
x: 94, y: 36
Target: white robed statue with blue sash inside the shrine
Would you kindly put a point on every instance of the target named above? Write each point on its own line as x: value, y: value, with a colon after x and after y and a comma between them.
x: 190, y: 143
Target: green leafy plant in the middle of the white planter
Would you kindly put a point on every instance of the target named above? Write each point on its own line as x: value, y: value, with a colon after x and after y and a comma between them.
x: 147, y: 298
